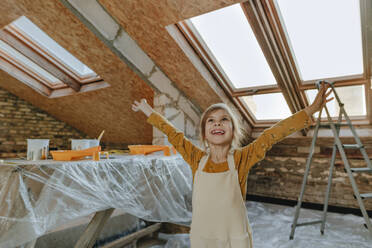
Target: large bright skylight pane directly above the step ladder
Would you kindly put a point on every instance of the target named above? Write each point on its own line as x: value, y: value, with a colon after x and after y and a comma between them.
x: 325, y: 37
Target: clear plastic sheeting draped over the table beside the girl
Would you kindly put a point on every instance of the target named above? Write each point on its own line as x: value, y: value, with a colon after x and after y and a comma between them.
x: 38, y: 196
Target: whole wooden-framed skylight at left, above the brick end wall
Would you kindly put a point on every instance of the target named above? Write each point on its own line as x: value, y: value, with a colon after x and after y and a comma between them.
x: 31, y: 56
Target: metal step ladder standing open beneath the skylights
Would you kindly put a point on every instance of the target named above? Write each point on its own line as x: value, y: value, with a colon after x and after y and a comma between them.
x: 335, y: 127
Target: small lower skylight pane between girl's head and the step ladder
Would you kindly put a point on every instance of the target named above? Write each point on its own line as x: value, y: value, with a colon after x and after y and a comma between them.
x: 267, y: 106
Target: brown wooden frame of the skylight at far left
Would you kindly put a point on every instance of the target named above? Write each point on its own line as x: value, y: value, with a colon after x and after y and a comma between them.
x: 71, y: 81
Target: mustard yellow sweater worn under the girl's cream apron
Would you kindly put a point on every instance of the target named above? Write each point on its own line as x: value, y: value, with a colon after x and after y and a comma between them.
x: 244, y: 157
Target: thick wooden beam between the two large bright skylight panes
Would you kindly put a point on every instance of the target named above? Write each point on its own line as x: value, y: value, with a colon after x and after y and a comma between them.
x: 266, y: 28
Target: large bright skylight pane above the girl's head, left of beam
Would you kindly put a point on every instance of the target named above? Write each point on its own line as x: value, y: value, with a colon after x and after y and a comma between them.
x: 231, y: 40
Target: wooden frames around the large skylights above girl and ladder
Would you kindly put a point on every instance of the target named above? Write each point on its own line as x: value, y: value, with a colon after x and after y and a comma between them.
x: 269, y: 31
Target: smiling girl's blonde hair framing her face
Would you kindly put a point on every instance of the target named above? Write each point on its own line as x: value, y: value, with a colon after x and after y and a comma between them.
x: 237, y: 131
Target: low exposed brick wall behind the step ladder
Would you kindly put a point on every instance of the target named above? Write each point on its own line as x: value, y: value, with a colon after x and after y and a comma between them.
x: 281, y: 177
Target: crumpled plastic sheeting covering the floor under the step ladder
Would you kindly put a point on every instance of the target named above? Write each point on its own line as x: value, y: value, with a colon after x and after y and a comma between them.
x: 271, y: 226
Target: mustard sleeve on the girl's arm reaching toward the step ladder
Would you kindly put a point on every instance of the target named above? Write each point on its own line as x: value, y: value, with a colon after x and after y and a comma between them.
x: 256, y: 151
